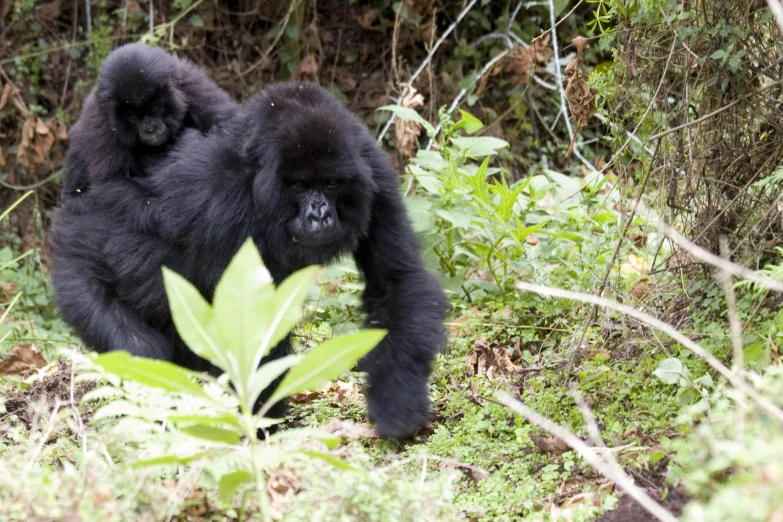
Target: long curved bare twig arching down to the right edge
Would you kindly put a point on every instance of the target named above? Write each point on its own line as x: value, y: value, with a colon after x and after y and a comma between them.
x: 666, y: 328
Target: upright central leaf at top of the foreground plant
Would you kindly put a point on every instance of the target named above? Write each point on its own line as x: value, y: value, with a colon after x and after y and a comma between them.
x: 243, y: 298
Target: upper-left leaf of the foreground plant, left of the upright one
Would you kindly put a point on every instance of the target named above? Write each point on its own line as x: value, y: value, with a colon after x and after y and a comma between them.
x: 193, y: 318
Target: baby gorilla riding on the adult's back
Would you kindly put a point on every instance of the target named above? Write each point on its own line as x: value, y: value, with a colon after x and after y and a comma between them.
x: 143, y: 99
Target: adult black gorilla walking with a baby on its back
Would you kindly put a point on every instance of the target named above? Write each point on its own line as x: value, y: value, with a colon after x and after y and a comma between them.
x: 301, y: 176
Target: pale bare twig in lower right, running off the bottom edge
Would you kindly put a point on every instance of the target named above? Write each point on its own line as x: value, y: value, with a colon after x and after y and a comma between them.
x: 614, y: 474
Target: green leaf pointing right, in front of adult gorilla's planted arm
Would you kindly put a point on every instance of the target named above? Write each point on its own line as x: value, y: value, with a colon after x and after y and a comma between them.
x: 327, y: 361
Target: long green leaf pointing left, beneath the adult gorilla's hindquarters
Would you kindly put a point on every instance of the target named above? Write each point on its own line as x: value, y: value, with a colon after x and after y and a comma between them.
x: 158, y: 374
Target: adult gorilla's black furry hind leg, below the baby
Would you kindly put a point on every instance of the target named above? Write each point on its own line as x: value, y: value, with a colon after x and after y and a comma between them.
x: 85, y: 296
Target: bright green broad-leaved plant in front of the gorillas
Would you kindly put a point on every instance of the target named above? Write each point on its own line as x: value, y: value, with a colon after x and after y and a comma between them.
x: 248, y: 318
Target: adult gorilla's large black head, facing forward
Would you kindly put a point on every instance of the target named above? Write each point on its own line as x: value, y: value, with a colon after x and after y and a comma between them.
x: 313, y: 186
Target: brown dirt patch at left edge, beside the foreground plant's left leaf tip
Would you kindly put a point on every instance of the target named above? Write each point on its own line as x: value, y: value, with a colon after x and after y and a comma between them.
x: 52, y: 389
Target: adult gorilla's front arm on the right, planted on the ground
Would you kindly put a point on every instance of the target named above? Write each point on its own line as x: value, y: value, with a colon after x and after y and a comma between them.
x: 401, y: 295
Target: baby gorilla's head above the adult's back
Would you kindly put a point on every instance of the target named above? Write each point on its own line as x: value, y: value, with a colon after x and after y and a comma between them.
x: 137, y: 91
